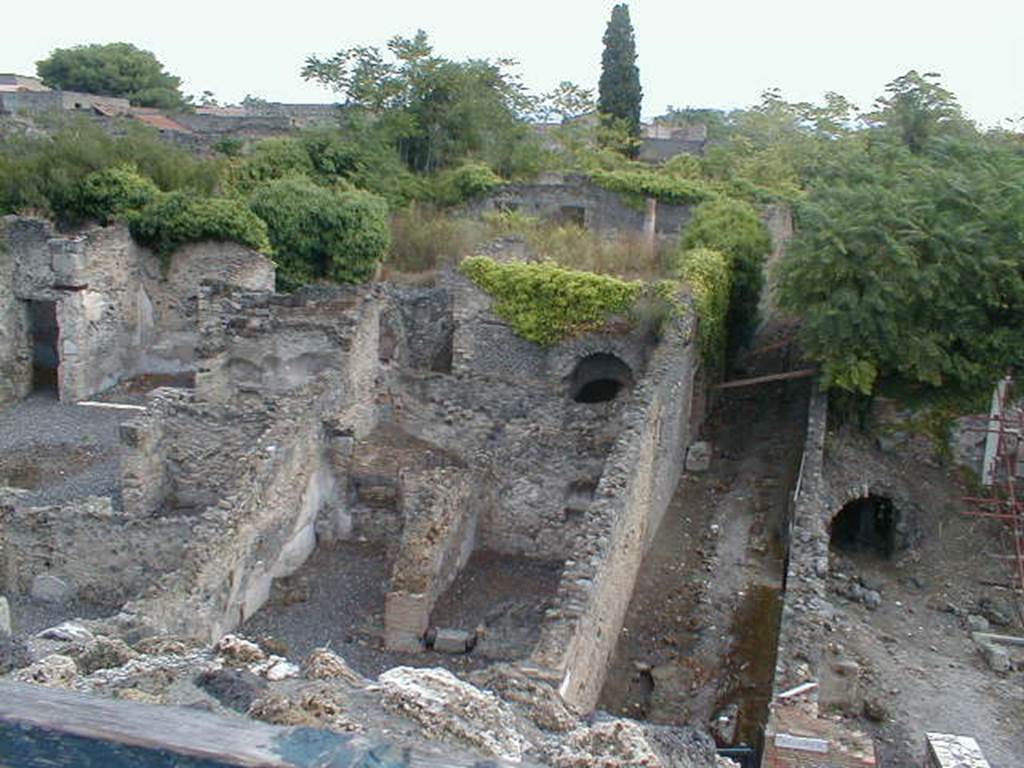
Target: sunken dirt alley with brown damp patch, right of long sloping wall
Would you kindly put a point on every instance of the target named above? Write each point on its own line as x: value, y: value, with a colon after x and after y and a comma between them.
x: 700, y: 635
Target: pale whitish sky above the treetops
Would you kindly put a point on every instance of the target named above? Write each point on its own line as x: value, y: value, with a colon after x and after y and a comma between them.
x: 699, y: 54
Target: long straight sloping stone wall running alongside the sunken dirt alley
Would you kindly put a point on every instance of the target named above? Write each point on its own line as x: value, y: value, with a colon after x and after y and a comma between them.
x: 641, y: 477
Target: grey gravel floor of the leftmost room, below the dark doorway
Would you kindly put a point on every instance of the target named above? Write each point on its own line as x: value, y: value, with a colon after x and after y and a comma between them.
x: 60, y: 452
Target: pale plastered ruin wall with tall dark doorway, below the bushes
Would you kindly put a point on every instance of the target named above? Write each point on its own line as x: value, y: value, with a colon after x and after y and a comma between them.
x: 119, y: 316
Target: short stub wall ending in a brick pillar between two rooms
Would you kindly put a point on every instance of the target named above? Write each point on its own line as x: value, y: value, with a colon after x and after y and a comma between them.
x: 442, y: 508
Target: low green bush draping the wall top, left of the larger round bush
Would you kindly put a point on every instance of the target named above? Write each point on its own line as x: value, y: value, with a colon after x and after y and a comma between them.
x: 177, y: 219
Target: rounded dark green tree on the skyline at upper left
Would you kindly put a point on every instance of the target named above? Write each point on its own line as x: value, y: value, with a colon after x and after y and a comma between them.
x: 113, y: 70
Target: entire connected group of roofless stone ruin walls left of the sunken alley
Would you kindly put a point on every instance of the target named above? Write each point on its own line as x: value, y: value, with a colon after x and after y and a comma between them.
x: 412, y: 419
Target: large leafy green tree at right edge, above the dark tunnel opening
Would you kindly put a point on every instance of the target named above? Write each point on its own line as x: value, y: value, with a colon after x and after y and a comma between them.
x: 908, y: 268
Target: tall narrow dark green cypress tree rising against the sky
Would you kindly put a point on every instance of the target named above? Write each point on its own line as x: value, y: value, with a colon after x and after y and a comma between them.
x: 620, y: 93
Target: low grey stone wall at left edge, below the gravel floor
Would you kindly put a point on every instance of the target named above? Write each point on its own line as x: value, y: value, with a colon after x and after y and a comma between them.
x: 100, y: 554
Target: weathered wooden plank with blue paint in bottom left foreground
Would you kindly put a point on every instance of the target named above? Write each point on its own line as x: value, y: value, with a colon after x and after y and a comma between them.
x: 56, y: 729
